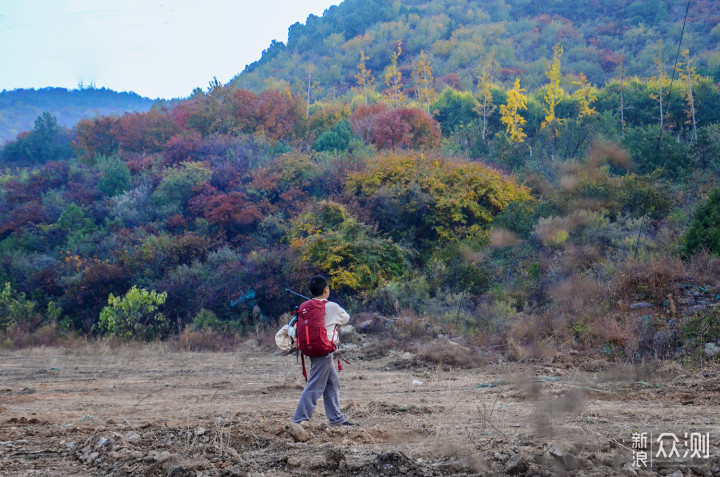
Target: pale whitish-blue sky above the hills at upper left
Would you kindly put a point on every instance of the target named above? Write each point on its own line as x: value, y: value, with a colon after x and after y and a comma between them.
x: 156, y: 48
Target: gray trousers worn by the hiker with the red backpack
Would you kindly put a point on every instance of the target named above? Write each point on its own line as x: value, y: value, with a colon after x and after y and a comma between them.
x: 323, y: 381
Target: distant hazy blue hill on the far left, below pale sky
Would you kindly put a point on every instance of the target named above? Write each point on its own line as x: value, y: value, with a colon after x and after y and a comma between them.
x: 19, y: 108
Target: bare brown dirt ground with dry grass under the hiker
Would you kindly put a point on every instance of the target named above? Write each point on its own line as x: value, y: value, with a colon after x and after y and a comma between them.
x: 152, y: 410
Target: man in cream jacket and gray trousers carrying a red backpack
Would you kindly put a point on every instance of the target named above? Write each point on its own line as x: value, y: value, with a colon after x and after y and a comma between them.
x: 323, y: 380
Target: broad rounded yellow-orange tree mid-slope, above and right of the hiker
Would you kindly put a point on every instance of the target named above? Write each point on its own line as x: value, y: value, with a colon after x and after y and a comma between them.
x: 425, y: 200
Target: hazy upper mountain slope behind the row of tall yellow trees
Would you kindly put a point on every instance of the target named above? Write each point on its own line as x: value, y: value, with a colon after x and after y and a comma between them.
x: 507, y: 38
